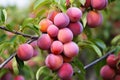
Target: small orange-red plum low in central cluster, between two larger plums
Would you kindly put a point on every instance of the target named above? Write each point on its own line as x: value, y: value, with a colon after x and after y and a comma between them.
x: 57, y: 47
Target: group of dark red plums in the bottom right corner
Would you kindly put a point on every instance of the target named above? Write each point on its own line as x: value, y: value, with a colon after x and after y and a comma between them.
x: 111, y: 71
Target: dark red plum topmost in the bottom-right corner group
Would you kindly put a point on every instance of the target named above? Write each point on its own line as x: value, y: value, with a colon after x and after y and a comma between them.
x: 112, y: 61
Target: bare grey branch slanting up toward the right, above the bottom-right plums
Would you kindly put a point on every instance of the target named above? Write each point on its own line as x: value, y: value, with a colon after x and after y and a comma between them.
x: 98, y: 60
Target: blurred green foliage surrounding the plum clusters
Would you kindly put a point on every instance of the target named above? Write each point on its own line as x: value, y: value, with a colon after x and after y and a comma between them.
x: 93, y: 43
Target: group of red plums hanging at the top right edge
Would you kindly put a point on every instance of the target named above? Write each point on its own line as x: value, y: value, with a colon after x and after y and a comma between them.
x: 94, y: 17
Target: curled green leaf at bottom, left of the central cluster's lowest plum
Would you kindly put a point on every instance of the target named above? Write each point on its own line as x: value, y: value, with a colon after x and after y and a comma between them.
x: 42, y: 71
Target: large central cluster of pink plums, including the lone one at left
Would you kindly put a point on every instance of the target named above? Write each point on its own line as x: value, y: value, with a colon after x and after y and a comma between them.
x: 58, y: 30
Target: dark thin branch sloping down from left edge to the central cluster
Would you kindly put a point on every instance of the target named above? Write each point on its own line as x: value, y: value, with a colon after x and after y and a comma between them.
x: 18, y: 33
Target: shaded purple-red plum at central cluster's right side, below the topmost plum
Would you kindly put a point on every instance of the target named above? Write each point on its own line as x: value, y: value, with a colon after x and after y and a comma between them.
x: 76, y: 28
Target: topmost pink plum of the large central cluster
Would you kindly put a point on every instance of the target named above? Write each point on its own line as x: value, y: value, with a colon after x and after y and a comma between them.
x: 74, y: 14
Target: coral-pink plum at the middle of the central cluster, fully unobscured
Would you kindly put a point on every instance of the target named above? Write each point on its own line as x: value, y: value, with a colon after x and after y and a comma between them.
x: 65, y: 35
